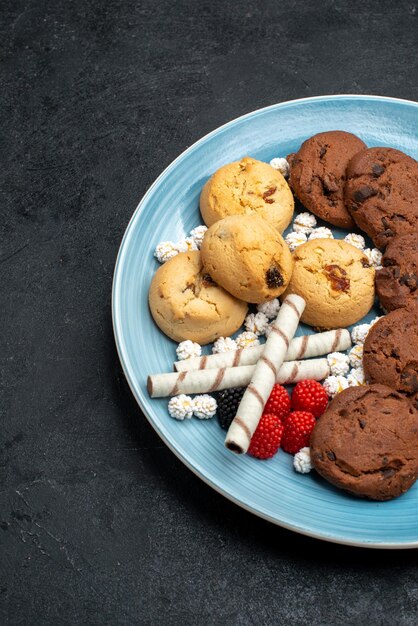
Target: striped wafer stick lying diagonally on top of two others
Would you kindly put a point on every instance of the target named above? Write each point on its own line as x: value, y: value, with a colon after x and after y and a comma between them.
x: 257, y: 393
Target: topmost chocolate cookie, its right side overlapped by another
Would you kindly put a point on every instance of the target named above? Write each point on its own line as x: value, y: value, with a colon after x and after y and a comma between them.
x: 317, y: 174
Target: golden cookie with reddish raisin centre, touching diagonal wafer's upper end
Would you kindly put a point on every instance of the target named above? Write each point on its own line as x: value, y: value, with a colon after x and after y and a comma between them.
x: 336, y: 281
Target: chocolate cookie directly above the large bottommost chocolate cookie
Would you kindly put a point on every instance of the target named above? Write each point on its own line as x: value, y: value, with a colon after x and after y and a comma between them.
x: 390, y: 353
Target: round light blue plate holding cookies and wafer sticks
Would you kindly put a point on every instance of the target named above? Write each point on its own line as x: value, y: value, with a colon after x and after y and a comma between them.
x: 169, y: 210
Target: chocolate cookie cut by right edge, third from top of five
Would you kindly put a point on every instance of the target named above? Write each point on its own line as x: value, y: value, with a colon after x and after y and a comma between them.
x: 397, y: 281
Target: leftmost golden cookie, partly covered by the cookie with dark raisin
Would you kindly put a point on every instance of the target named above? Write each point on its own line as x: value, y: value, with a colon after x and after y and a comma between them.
x: 186, y: 304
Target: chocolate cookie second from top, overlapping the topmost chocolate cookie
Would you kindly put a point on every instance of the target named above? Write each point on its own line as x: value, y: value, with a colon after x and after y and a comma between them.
x: 381, y: 193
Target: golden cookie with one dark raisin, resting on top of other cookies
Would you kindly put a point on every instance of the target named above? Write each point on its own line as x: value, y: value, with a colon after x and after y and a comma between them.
x: 247, y: 257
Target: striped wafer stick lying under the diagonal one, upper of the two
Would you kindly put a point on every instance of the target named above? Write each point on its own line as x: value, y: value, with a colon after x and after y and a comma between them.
x: 304, y: 347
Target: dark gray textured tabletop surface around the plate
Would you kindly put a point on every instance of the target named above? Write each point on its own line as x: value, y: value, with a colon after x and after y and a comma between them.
x: 100, y: 523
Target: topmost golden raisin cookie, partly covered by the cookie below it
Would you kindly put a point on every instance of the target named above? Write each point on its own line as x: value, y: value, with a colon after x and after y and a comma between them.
x: 246, y: 187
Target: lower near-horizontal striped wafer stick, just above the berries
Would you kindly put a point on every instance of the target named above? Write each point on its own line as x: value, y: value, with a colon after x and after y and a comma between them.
x: 207, y: 381
